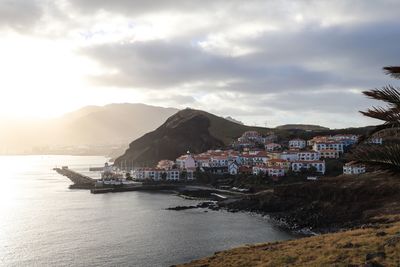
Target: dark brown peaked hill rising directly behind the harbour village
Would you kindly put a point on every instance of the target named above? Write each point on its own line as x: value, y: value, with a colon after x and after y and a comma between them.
x: 189, y: 129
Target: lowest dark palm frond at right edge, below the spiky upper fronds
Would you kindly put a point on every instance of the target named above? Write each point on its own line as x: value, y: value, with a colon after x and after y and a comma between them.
x: 384, y: 157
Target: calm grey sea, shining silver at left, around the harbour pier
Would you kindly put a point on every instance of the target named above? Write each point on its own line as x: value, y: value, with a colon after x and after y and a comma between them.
x: 43, y: 223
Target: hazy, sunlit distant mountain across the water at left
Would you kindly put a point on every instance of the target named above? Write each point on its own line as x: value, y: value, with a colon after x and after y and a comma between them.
x: 84, y: 130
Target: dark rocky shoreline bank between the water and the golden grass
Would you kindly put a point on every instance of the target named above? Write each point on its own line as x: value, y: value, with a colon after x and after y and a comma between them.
x: 327, y: 206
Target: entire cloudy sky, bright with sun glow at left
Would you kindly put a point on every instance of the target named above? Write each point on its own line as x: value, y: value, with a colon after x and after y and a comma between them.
x: 265, y: 63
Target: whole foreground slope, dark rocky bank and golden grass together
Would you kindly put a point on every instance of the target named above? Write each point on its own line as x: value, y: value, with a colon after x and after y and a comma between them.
x: 367, y: 205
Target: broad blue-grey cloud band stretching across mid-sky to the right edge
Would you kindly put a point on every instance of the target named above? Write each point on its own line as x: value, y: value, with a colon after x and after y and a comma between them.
x: 333, y: 58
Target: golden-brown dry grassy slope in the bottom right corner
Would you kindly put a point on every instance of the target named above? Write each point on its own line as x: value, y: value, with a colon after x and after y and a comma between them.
x: 377, y: 245
